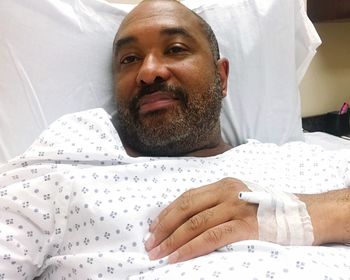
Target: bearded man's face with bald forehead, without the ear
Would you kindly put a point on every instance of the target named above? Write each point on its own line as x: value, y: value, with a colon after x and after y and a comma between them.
x: 168, y: 91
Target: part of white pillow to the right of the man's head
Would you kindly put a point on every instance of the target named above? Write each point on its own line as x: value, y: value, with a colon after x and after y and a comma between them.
x: 270, y: 46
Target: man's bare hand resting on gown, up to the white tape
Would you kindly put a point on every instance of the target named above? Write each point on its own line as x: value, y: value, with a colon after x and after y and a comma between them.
x: 202, y: 220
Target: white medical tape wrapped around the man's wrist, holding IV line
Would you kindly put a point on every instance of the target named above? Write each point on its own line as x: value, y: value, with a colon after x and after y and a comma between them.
x: 282, y: 217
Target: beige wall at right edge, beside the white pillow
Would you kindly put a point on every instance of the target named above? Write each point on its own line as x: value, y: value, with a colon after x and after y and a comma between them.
x: 326, y: 84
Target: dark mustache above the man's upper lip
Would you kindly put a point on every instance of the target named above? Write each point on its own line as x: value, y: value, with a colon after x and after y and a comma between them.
x: 177, y: 92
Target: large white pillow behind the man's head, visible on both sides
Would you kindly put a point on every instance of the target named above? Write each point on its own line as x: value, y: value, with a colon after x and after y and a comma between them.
x: 55, y: 58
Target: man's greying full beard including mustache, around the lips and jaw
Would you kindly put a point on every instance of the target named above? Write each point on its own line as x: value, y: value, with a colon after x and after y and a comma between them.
x: 174, y: 131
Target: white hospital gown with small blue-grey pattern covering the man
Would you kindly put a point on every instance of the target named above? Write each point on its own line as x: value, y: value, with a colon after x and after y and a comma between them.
x: 75, y: 206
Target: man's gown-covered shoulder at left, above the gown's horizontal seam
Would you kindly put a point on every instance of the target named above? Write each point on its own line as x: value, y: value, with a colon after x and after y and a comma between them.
x: 79, y: 137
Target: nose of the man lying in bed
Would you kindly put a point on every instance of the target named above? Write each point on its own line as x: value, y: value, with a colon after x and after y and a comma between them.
x: 152, y: 68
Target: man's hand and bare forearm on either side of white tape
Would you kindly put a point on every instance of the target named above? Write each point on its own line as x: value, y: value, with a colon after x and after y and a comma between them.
x: 207, y: 218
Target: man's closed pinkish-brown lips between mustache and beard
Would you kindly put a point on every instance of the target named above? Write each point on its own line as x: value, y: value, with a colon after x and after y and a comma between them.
x: 156, y: 101
